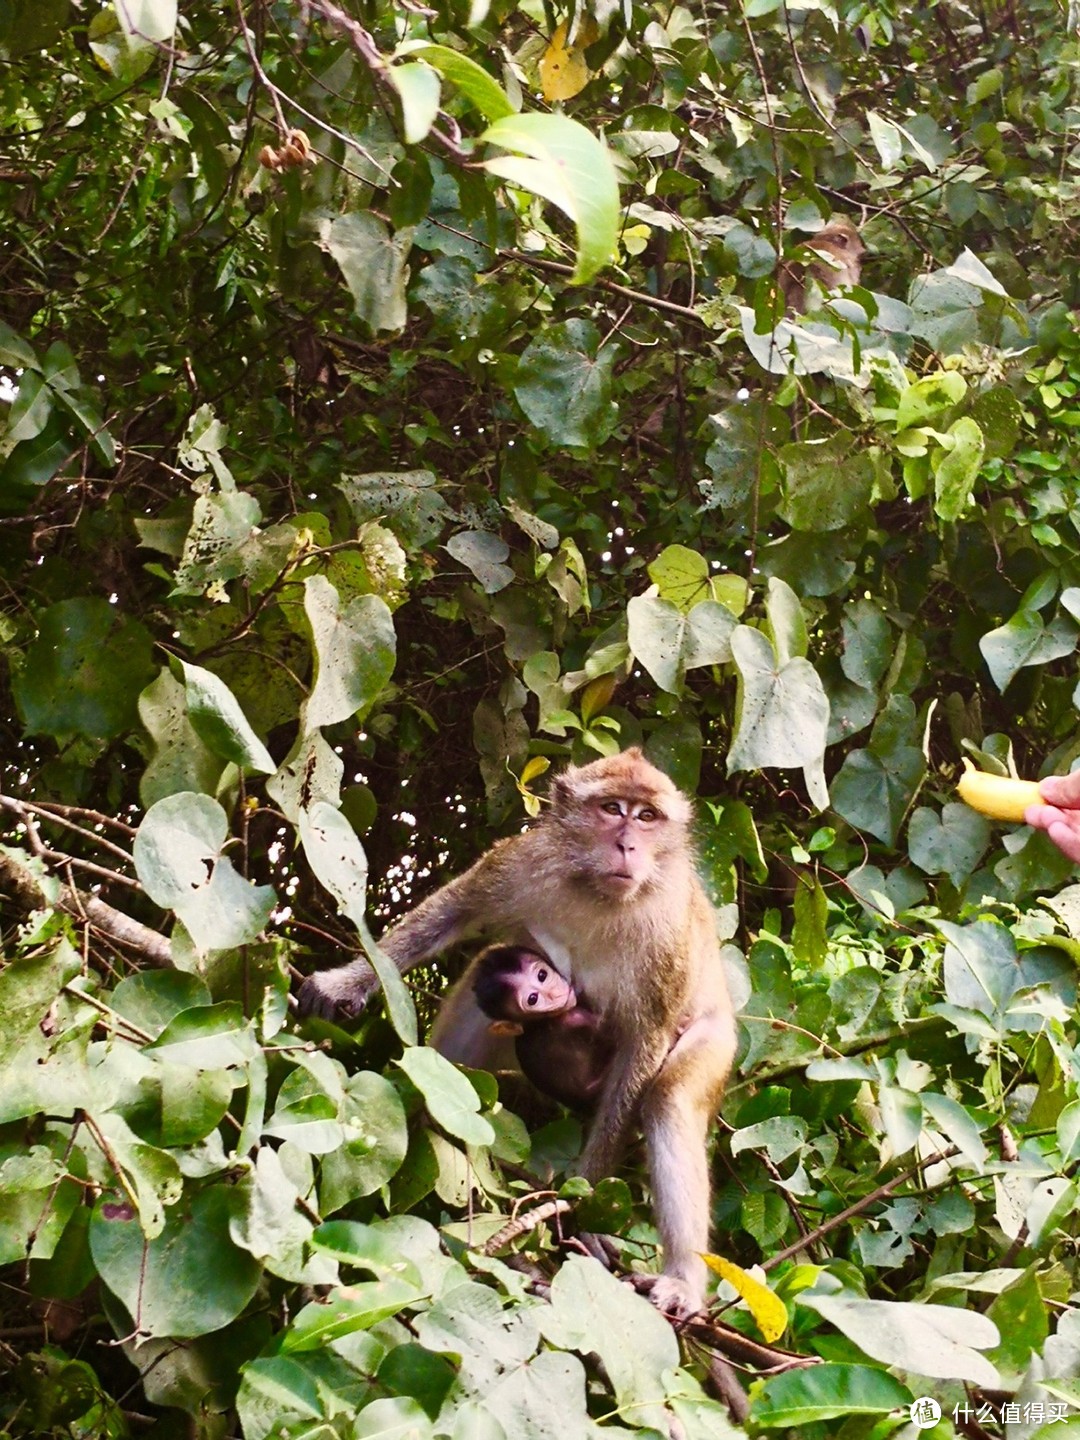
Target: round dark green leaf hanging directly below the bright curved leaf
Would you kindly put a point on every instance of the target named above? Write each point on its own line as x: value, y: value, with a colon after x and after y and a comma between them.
x: 564, y: 384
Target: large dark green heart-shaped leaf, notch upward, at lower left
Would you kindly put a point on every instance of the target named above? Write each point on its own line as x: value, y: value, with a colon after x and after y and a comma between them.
x: 166, y: 1284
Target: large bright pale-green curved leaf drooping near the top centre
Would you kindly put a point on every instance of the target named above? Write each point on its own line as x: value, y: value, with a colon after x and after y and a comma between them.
x: 572, y: 169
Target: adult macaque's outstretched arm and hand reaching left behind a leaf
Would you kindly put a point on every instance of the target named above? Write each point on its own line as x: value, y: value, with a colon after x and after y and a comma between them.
x: 447, y: 918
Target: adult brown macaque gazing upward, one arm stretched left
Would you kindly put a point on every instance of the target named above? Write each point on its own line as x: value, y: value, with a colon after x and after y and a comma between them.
x: 606, y: 885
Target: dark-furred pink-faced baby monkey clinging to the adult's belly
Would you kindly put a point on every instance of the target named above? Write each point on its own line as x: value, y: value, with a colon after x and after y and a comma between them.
x: 559, y: 1040
